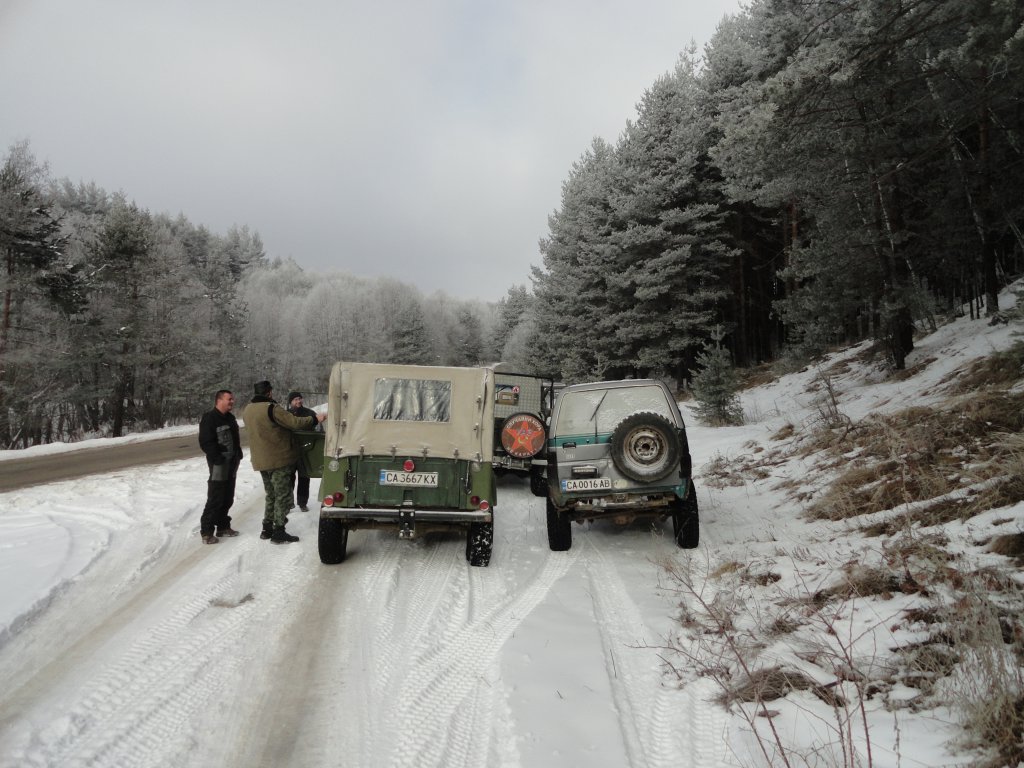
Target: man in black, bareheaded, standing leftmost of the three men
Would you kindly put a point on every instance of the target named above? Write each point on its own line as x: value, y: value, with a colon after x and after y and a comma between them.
x: 219, y: 437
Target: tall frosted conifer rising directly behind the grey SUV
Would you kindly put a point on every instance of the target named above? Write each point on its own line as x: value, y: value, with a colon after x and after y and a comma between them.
x: 674, y: 244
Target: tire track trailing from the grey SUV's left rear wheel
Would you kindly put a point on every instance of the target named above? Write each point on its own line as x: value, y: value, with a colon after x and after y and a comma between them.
x: 674, y: 733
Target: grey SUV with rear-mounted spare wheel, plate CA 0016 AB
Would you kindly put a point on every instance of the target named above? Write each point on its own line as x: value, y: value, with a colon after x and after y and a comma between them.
x: 618, y: 450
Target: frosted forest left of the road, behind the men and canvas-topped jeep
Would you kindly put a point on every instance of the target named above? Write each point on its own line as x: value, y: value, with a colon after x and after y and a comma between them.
x: 116, y: 320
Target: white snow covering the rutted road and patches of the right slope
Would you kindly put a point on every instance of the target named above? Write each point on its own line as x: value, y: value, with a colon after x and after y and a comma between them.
x: 125, y: 643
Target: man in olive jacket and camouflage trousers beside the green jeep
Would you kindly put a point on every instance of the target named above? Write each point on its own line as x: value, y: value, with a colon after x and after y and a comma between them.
x: 274, y: 455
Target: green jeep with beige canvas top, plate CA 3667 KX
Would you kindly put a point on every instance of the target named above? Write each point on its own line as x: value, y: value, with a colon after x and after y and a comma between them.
x: 407, y: 449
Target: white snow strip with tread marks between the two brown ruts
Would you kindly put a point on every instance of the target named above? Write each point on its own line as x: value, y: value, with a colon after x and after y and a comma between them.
x: 139, y: 710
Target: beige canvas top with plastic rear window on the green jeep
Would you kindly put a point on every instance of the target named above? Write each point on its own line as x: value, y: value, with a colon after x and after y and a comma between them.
x: 434, y: 411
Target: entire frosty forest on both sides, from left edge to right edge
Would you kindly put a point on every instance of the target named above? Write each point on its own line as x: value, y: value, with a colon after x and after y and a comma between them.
x: 826, y: 173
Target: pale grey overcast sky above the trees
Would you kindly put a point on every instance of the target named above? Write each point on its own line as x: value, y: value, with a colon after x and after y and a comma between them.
x: 424, y: 141
